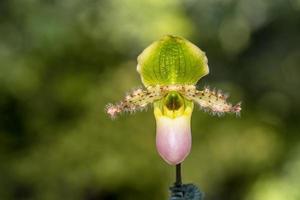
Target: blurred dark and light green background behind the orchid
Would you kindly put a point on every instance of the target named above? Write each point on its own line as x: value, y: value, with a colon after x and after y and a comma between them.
x: 62, y: 61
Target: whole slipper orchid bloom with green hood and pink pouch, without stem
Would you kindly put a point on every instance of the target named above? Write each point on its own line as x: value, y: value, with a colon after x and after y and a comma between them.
x: 169, y: 69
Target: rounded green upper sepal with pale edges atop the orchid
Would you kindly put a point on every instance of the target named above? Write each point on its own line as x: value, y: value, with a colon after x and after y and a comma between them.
x: 172, y: 60
